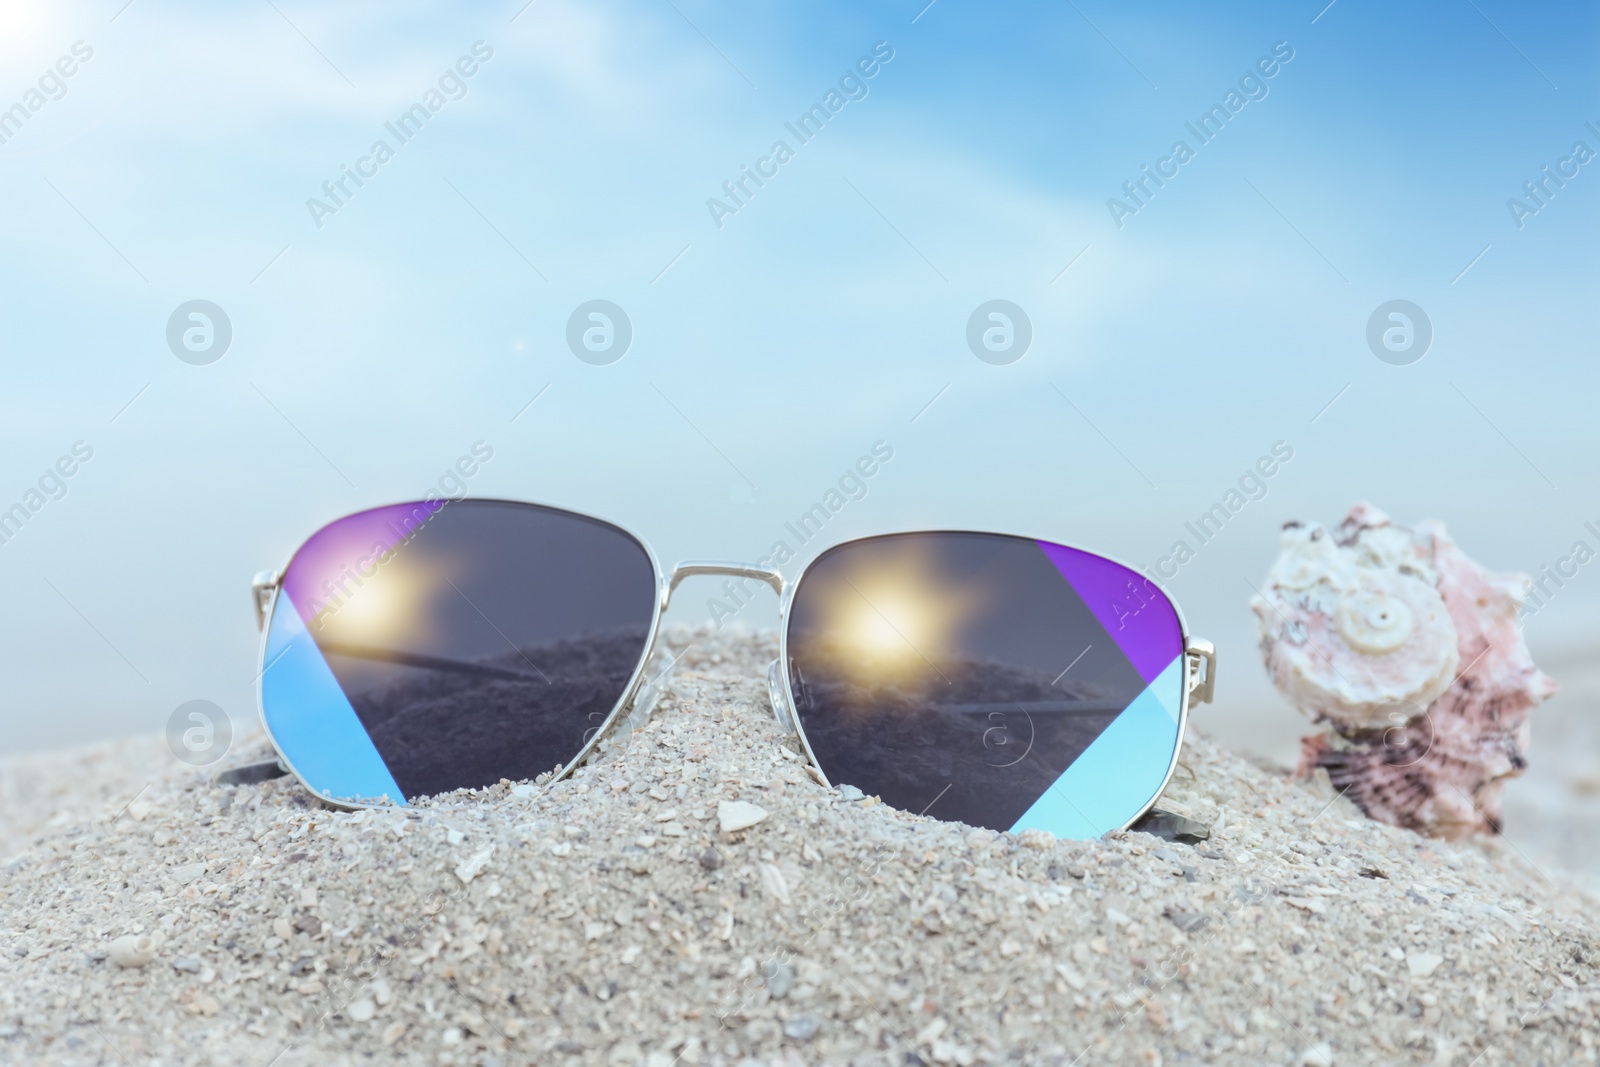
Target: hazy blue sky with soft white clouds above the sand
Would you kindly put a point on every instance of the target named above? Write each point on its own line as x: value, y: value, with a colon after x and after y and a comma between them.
x: 377, y: 334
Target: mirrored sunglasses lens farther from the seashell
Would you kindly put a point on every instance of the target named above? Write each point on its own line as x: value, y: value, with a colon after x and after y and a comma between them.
x: 422, y: 649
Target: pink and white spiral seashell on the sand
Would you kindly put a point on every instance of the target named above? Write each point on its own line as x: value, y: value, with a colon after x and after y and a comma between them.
x: 1412, y: 653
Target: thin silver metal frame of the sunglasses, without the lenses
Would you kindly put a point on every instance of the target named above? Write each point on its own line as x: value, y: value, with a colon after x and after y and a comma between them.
x: 1199, y: 655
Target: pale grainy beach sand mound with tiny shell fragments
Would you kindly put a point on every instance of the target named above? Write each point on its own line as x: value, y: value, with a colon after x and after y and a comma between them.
x: 610, y: 921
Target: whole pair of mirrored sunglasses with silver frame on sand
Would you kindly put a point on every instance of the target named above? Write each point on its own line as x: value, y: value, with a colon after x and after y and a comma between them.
x: 977, y: 677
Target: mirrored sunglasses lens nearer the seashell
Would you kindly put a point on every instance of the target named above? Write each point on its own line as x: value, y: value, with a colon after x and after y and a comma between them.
x: 993, y: 681
